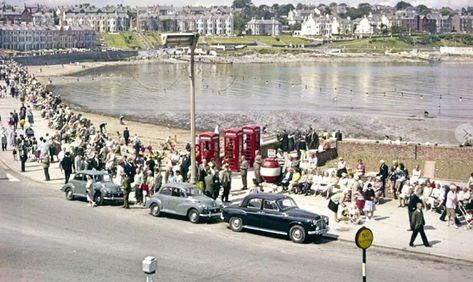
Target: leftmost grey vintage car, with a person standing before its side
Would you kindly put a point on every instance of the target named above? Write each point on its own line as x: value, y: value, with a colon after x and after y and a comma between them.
x: 104, y: 188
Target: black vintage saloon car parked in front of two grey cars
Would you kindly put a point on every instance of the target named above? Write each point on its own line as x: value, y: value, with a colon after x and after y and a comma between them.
x: 275, y: 213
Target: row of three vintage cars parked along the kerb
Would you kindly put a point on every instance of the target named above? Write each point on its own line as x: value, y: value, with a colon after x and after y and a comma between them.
x: 273, y: 213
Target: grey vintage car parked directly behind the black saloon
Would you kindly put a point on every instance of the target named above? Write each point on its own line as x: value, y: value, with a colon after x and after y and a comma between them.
x: 186, y: 200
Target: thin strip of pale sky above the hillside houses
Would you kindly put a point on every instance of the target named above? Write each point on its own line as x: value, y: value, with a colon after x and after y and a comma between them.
x: 429, y: 3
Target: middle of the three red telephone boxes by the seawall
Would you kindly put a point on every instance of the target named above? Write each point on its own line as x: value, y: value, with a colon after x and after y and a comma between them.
x: 233, y: 146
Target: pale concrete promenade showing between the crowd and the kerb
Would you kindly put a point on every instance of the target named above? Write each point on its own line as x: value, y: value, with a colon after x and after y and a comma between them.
x: 389, y: 228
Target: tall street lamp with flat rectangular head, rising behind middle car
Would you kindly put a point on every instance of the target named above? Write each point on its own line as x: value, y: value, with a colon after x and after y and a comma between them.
x: 187, y: 40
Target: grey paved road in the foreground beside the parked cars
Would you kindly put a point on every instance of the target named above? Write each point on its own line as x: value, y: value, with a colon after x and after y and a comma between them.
x: 43, y: 237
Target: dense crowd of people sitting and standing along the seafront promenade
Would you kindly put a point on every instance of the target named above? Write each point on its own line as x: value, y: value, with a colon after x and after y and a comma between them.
x: 352, y: 194
